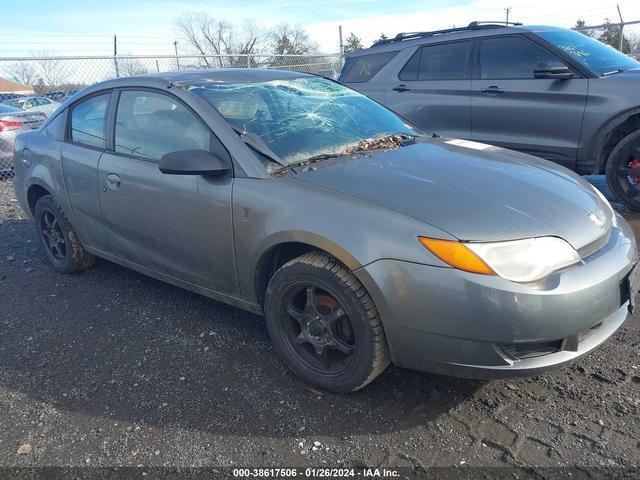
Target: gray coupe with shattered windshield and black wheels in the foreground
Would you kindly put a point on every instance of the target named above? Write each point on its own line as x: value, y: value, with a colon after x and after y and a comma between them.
x: 360, y: 238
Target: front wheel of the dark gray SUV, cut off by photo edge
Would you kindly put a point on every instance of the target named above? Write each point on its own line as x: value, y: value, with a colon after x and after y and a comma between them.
x: 621, y: 165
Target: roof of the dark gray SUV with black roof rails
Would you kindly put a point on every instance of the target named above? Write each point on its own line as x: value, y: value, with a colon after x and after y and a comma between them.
x: 474, y: 30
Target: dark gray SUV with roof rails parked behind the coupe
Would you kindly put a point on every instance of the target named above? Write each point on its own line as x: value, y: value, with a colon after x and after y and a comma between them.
x: 548, y: 91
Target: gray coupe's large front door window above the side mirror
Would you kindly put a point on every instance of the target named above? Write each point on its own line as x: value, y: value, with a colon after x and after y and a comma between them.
x: 149, y: 125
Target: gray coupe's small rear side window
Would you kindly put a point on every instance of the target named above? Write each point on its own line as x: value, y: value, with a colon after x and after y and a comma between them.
x: 88, y: 121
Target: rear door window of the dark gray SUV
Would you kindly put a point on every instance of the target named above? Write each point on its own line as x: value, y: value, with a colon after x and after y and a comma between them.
x: 447, y: 61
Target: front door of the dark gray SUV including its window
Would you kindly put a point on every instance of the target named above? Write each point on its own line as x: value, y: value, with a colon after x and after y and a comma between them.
x: 513, y: 109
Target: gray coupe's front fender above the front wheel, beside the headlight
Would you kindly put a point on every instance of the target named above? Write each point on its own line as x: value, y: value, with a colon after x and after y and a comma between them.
x: 271, y: 212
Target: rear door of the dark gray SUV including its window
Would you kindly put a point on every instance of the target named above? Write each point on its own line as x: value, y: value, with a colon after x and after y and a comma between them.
x: 432, y: 88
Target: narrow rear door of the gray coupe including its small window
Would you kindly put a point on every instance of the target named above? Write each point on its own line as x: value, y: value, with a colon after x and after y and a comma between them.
x: 85, y: 142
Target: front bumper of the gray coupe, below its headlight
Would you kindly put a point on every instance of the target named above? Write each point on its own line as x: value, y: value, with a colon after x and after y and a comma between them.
x: 446, y: 321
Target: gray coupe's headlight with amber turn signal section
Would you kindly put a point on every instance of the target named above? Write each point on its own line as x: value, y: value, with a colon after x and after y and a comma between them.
x: 525, y: 260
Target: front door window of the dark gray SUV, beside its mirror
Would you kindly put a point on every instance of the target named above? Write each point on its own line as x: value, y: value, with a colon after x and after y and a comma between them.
x: 511, y: 57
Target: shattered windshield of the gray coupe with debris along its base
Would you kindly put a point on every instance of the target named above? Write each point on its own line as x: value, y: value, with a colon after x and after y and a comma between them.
x: 304, y: 117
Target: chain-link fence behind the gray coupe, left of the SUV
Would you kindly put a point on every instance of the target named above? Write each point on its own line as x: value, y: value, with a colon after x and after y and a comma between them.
x: 39, y: 84
